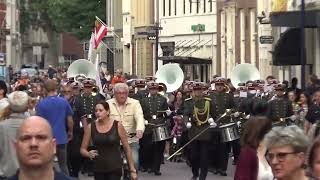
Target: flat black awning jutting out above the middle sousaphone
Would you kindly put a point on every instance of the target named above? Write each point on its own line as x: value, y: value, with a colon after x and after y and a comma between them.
x: 185, y: 60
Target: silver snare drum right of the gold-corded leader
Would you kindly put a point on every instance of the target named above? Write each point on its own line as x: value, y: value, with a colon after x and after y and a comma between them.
x: 229, y: 132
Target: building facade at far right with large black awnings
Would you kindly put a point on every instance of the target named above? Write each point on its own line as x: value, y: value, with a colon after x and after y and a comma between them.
x: 277, y: 20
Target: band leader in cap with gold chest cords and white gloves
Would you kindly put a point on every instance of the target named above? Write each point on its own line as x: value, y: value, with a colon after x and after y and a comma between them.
x: 198, y: 114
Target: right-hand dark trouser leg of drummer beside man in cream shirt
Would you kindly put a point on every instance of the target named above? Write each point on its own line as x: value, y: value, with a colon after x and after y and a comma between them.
x: 157, y: 149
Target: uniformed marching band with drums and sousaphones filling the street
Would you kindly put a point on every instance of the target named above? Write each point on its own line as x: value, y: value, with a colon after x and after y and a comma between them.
x: 203, y: 128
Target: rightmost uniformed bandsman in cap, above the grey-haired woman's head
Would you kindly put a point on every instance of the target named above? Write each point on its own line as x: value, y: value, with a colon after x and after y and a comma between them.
x: 279, y: 106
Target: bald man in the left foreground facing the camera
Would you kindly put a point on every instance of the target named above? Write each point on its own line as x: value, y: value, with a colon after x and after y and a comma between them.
x: 35, y: 148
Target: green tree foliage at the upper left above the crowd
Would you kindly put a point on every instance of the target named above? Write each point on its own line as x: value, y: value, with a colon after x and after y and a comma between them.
x: 74, y: 16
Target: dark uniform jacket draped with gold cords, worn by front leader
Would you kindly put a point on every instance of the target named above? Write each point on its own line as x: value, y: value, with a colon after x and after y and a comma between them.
x: 189, y: 115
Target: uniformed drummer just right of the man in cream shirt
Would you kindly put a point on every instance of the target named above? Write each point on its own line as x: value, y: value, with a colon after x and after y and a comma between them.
x: 154, y: 107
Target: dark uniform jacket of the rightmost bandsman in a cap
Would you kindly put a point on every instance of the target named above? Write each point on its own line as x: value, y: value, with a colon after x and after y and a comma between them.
x: 279, y: 107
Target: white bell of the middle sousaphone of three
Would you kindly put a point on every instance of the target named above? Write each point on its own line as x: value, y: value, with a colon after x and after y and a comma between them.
x: 171, y: 75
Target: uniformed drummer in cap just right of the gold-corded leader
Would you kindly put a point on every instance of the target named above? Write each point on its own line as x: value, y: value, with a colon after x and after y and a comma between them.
x: 223, y: 101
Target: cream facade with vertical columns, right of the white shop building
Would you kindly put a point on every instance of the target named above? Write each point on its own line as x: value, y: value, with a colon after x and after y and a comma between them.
x: 236, y: 34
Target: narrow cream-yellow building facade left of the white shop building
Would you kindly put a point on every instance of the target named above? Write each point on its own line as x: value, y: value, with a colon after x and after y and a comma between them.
x: 138, y: 18
